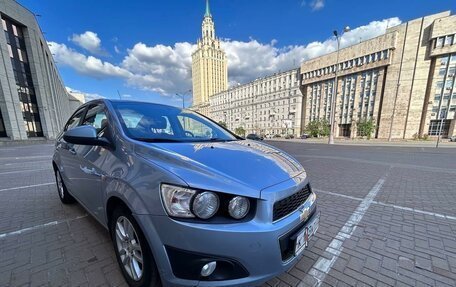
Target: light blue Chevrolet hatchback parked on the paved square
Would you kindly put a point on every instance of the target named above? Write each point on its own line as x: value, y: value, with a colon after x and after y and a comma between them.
x: 187, y: 202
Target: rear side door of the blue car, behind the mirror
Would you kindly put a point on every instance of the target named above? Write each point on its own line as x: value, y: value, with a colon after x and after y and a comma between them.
x: 67, y: 152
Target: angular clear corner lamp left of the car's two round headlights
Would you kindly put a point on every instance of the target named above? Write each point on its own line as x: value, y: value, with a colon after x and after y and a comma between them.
x: 177, y: 200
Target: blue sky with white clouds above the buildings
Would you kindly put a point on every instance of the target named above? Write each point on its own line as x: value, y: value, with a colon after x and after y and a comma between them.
x: 143, y: 48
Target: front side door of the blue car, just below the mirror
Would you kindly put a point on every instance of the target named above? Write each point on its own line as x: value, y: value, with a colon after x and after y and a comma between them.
x: 89, y: 160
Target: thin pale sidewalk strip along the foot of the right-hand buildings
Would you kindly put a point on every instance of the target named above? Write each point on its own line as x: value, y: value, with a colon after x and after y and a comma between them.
x: 445, y: 143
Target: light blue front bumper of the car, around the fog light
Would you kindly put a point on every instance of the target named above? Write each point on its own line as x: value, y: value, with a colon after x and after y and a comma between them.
x: 254, y: 246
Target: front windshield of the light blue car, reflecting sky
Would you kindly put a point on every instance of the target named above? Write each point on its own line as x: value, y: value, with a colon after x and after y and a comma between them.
x: 158, y: 123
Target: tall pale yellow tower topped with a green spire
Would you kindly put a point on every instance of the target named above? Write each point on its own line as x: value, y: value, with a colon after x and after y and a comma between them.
x: 209, y: 64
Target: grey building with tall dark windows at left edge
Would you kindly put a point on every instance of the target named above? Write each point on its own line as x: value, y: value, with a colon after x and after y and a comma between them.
x: 33, y: 99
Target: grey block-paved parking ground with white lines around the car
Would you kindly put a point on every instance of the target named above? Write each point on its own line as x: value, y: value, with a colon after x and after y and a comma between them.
x: 388, y: 218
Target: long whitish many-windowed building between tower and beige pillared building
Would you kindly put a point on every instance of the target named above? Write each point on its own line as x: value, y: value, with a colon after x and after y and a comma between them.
x: 267, y: 106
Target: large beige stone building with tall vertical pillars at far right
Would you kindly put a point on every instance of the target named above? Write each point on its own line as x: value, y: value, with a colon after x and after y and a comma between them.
x: 402, y: 80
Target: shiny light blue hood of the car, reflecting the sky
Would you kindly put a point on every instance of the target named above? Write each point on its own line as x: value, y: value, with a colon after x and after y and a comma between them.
x: 239, y: 167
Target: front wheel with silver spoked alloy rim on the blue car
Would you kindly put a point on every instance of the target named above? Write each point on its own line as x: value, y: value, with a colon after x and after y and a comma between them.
x: 126, y: 234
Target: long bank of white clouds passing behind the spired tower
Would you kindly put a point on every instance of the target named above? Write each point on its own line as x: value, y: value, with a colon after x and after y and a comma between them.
x: 167, y: 69
